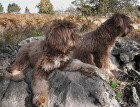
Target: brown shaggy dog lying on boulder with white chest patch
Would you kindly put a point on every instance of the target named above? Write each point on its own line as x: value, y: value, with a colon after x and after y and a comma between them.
x: 47, y: 55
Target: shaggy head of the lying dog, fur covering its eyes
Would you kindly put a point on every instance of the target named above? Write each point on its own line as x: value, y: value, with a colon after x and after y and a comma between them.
x: 62, y: 35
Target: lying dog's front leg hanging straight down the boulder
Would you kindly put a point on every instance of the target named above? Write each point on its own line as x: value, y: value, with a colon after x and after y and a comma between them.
x: 40, y: 88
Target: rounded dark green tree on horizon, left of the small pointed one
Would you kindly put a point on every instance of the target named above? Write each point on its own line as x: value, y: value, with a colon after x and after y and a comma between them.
x: 13, y: 8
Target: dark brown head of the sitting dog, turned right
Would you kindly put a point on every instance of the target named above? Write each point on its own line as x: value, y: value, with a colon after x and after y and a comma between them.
x: 121, y: 23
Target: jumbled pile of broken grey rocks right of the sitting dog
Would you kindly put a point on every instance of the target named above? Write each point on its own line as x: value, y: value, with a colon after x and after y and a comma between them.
x: 127, y: 54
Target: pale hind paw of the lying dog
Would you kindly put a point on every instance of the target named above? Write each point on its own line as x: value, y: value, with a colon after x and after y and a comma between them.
x: 17, y: 76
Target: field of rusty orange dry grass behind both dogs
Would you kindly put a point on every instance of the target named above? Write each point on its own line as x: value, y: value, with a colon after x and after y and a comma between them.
x: 16, y: 27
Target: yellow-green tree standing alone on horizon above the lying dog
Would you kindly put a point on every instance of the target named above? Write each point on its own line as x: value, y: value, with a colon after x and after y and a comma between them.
x: 45, y: 7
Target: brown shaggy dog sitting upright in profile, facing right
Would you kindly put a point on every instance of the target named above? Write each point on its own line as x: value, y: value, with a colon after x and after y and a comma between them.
x: 97, y: 45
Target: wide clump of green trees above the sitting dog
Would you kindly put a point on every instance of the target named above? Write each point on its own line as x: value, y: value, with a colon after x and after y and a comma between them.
x: 90, y: 7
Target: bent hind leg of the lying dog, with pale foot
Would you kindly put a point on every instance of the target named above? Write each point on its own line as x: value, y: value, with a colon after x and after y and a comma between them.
x: 19, y: 66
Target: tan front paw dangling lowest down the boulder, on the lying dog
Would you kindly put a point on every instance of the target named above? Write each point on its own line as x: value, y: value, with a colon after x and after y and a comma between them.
x: 40, y: 100
